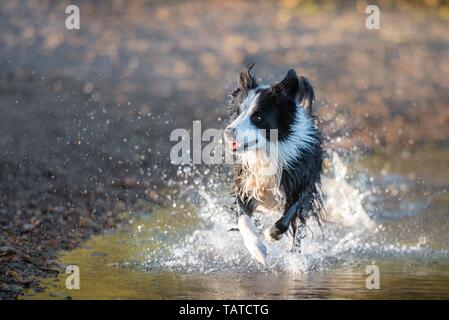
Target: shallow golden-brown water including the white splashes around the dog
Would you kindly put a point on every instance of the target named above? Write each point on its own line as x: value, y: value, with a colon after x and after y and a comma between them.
x: 388, y: 212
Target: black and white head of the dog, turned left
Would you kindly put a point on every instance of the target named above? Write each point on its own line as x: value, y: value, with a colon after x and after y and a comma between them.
x: 263, y: 113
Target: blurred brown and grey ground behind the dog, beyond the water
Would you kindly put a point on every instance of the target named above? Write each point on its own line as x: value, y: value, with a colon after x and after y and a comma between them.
x: 85, y: 115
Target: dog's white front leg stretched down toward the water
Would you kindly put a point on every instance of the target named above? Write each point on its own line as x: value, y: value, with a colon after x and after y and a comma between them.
x: 248, y: 230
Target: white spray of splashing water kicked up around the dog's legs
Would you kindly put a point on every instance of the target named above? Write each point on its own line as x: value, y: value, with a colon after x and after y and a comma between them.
x: 350, y: 232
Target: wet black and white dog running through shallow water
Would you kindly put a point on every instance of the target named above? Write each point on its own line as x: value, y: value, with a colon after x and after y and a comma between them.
x: 287, y: 180
